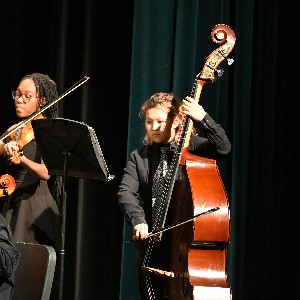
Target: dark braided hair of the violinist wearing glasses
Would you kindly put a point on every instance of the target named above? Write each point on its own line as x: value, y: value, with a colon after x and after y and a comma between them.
x: 47, y: 92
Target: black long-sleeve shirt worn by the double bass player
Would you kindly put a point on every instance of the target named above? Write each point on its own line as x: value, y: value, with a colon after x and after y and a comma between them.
x: 135, y: 190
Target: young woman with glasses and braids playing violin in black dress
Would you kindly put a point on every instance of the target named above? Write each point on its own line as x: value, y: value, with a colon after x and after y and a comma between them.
x: 32, y: 208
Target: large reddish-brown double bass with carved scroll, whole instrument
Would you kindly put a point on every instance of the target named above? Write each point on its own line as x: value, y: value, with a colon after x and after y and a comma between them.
x: 198, y: 247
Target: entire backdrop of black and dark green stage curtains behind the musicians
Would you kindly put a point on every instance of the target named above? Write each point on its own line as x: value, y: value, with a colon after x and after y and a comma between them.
x: 131, y: 49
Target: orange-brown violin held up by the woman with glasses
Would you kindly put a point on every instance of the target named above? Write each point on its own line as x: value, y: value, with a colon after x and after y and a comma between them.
x: 23, y: 136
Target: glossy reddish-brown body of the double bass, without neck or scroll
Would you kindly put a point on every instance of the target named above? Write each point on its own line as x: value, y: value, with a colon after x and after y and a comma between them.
x: 198, y: 249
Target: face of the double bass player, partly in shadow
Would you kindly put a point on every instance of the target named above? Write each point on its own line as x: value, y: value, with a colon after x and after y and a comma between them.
x: 159, y: 127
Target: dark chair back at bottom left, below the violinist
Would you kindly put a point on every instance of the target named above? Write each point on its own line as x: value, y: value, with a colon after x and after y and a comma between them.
x: 34, y: 276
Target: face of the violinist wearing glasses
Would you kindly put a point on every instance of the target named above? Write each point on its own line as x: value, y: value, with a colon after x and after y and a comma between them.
x: 24, y: 110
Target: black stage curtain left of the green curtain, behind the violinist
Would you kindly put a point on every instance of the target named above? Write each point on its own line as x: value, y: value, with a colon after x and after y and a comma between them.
x: 68, y: 40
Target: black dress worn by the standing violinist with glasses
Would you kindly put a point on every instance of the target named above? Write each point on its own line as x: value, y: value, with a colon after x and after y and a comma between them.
x: 32, y: 210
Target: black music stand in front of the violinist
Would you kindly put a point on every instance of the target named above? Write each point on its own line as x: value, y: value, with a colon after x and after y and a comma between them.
x: 69, y: 148
